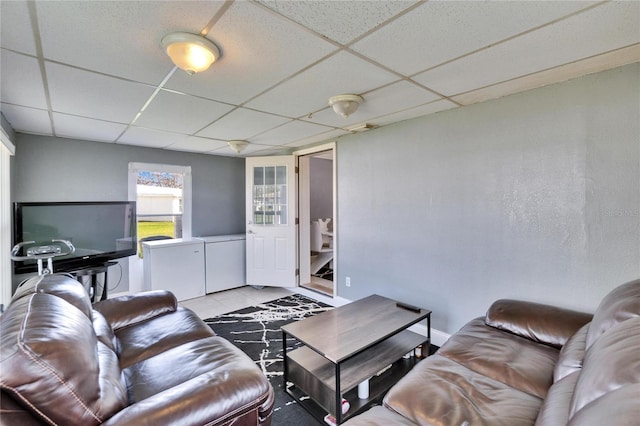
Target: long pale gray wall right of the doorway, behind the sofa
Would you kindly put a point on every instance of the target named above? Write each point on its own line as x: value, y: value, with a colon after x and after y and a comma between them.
x: 534, y: 196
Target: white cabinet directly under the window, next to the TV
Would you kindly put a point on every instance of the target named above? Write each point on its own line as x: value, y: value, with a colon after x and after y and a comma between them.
x: 176, y: 265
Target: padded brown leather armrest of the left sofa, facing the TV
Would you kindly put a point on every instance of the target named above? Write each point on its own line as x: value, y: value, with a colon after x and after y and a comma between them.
x: 123, y: 311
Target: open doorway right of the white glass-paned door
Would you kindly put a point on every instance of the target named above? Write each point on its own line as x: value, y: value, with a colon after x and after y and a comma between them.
x: 318, y: 230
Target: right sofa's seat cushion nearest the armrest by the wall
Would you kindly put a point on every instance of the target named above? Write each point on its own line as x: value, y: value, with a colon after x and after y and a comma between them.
x: 516, y: 361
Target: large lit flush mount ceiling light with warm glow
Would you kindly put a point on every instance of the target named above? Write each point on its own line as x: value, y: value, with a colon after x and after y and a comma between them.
x: 190, y: 52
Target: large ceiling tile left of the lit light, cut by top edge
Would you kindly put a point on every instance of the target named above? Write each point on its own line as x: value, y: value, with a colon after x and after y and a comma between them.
x: 120, y: 38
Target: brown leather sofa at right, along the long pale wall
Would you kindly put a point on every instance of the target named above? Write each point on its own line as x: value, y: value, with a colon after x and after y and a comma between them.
x: 526, y: 364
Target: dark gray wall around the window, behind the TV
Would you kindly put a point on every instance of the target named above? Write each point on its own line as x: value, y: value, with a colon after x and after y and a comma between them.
x: 56, y: 169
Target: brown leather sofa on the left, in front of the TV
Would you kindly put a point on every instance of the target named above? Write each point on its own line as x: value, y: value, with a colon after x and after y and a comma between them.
x: 133, y: 360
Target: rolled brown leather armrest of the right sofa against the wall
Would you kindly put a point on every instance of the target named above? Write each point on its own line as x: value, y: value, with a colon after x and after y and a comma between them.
x: 541, y: 323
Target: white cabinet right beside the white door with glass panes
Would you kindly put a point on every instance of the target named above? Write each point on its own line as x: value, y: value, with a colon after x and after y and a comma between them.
x: 225, y: 262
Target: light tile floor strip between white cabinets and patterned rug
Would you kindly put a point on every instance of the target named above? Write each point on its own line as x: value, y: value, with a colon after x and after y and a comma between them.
x: 222, y: 302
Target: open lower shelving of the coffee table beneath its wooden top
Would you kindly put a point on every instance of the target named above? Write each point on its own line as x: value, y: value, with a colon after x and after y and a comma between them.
x: 315, y: 376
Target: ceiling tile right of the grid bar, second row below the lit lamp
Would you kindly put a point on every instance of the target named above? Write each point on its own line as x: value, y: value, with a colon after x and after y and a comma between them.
x: 166, y: 112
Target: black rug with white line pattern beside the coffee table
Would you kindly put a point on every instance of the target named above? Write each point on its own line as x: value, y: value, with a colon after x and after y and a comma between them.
x: 256, y: 331
